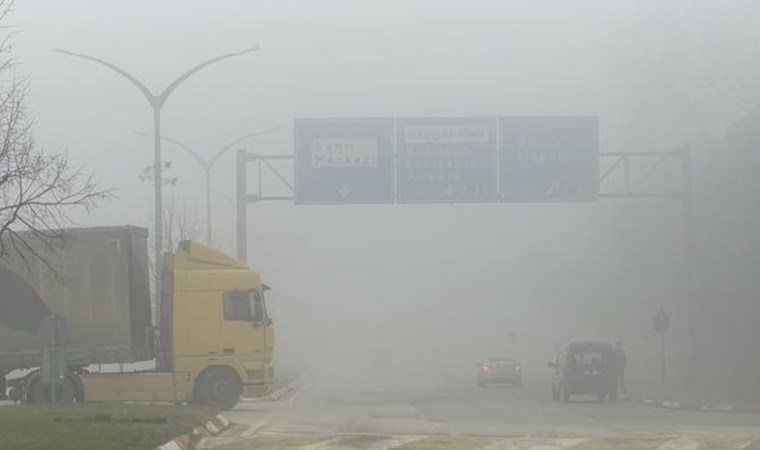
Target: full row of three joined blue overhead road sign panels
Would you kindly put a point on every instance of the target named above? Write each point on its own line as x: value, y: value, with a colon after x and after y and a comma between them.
x: 446, y: 159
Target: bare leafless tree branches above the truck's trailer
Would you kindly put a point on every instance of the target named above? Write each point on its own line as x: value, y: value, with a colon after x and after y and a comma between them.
x: 39, y: 190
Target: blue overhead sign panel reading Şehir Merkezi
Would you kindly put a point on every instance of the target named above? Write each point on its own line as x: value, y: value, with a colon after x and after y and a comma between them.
x: 344, y: 160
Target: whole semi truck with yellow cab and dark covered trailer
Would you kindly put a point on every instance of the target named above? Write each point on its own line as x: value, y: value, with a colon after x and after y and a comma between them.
x: 212, y: 343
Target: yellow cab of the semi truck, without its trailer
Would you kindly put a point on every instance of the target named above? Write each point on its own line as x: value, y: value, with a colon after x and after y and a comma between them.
x: 220, y: 333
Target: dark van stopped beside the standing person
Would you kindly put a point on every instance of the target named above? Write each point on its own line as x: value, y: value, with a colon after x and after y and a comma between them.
x: 585, y: 368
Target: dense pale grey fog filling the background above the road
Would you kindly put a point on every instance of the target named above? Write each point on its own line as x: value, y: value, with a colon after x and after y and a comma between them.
x: 441, y: 287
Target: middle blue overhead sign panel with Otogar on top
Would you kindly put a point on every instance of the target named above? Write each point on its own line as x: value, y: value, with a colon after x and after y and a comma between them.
x: 446, y: 160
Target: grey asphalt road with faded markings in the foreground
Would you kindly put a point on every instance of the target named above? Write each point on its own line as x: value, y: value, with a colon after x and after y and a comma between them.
x: 469, y: 417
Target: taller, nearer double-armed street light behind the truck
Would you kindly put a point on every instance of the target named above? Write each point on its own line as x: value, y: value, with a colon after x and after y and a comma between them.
x: 157, y: 102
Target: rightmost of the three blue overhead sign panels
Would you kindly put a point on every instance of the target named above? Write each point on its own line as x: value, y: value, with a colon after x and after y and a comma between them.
x: 549, y: 158
